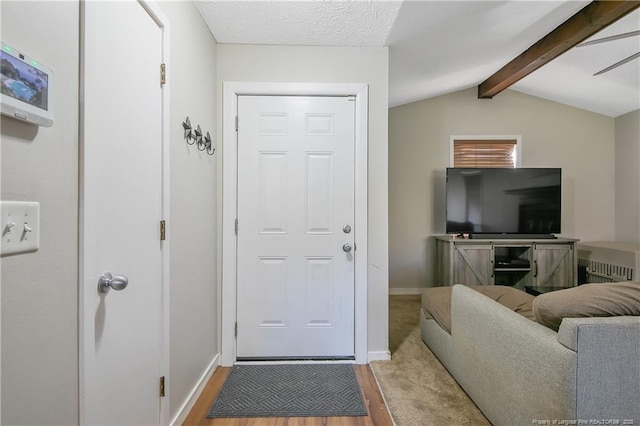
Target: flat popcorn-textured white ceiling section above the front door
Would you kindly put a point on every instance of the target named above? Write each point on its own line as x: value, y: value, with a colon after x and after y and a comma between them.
x: 307, y: 23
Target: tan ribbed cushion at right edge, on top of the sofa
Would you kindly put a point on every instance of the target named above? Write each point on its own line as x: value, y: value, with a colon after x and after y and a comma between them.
x: 587, y: 300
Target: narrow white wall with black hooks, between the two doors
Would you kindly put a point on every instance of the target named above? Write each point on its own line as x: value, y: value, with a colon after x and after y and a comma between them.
x: 192, y: 225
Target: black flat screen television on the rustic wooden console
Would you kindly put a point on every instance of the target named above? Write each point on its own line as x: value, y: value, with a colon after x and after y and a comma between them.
x: 525, y: 201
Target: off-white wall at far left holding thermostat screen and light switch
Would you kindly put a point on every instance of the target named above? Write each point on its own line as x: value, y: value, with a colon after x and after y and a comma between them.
x: 40, y: 290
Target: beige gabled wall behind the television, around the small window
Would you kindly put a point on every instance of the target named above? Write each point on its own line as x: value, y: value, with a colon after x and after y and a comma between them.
x: 553, y: 135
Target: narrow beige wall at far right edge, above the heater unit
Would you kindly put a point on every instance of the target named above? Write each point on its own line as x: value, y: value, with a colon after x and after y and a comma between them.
x: 628, y: 177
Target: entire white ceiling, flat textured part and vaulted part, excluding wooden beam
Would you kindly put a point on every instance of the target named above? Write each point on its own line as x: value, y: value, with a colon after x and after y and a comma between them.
x: 438, y: 47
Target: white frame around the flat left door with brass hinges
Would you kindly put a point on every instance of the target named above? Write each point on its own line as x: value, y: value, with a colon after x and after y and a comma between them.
x: 163, y: 22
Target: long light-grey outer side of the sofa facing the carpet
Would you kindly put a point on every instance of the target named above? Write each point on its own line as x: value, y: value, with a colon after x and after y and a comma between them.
x: 513, y: 368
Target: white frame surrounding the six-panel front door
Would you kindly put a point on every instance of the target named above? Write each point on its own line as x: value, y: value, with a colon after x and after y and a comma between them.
x: 226, y: 228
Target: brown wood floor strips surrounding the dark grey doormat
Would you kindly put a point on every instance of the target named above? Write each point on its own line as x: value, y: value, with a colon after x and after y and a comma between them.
x: 378, y: 414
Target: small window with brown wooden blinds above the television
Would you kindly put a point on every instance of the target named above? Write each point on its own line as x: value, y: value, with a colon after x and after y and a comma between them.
x: 484, y: 153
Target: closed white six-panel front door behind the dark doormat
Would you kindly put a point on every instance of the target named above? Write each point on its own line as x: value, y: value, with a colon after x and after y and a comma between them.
x: 295, y: 288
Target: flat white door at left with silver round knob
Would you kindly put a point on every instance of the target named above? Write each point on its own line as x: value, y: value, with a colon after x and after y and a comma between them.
x: 121, y: 212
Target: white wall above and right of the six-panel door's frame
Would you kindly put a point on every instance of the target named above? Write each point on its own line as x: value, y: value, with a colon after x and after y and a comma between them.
x: 332, y: 65
